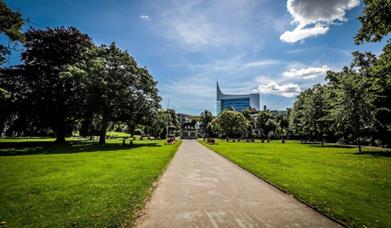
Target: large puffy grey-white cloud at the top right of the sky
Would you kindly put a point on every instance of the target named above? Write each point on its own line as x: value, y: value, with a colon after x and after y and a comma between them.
x: 313, y: 17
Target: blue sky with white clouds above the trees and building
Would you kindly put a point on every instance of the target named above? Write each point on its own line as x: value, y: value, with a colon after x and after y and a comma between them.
x: 275, y: 47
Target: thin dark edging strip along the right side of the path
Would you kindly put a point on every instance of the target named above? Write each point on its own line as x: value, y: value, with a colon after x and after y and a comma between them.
x: 279, y: 188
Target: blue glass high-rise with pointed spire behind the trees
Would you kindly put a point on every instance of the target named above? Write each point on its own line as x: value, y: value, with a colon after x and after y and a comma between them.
x: 239, y: 102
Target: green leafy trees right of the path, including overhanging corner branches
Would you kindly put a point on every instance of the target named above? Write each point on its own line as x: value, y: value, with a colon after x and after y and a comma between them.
x: 355, y: 104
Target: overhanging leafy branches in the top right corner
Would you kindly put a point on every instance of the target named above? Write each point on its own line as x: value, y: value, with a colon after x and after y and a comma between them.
x: 375, y: 21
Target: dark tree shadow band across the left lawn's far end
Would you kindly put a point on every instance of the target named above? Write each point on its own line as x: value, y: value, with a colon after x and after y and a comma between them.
x: 29, y: 148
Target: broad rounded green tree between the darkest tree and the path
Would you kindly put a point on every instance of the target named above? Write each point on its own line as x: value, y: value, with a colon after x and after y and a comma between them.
x: 116, y: 90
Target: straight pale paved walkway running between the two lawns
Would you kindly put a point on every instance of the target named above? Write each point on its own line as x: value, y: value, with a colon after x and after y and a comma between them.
x: 202, y: 189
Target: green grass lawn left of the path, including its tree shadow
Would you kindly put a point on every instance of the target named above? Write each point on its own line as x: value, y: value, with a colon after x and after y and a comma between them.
x: 79, y: 184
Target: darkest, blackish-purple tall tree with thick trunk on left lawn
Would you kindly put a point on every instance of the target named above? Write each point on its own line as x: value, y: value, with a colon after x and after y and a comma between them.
x: 54, y: 96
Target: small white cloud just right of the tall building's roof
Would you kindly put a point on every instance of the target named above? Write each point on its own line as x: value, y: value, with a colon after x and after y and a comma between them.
x: 285, y: 90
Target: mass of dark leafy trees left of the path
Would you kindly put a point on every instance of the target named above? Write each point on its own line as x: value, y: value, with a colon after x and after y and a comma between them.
x: 67, y: 83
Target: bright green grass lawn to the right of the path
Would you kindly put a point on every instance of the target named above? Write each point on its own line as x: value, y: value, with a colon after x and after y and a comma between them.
x: 350, y: 186
